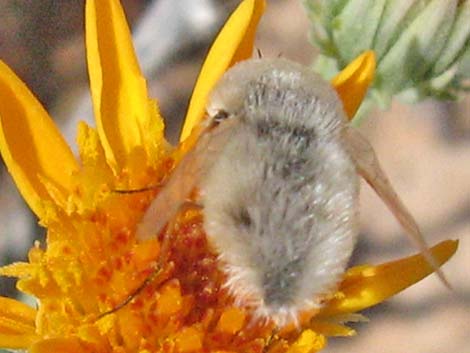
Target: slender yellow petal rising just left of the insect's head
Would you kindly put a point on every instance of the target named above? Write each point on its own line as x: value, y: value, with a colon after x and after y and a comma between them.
x: 233, y: 44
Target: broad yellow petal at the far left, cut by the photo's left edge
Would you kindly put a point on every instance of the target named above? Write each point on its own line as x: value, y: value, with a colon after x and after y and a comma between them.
x: 30, y: 143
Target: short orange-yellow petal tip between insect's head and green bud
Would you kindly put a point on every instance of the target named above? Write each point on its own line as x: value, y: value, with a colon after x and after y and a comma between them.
x: 352, y: 82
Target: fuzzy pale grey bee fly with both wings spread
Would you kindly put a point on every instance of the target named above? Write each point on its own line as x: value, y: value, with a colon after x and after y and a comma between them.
x: 277, y: 167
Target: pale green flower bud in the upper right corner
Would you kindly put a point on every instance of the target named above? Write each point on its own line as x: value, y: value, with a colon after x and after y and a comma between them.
x: 422, y: 46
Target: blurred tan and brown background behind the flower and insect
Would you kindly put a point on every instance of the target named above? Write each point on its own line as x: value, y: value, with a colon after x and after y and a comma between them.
x: 424, y: 148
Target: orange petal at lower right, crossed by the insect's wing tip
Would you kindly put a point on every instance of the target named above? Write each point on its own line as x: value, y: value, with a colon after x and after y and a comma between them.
x: 365, y: 286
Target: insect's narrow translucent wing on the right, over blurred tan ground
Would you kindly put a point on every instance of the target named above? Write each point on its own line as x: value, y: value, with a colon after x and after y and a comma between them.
x: 369, y: 168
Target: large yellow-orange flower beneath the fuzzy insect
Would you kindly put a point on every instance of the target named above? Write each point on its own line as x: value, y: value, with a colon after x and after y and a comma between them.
x: 92, y: 262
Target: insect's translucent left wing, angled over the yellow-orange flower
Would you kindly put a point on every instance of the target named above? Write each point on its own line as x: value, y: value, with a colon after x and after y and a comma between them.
x: 185, y: 177
